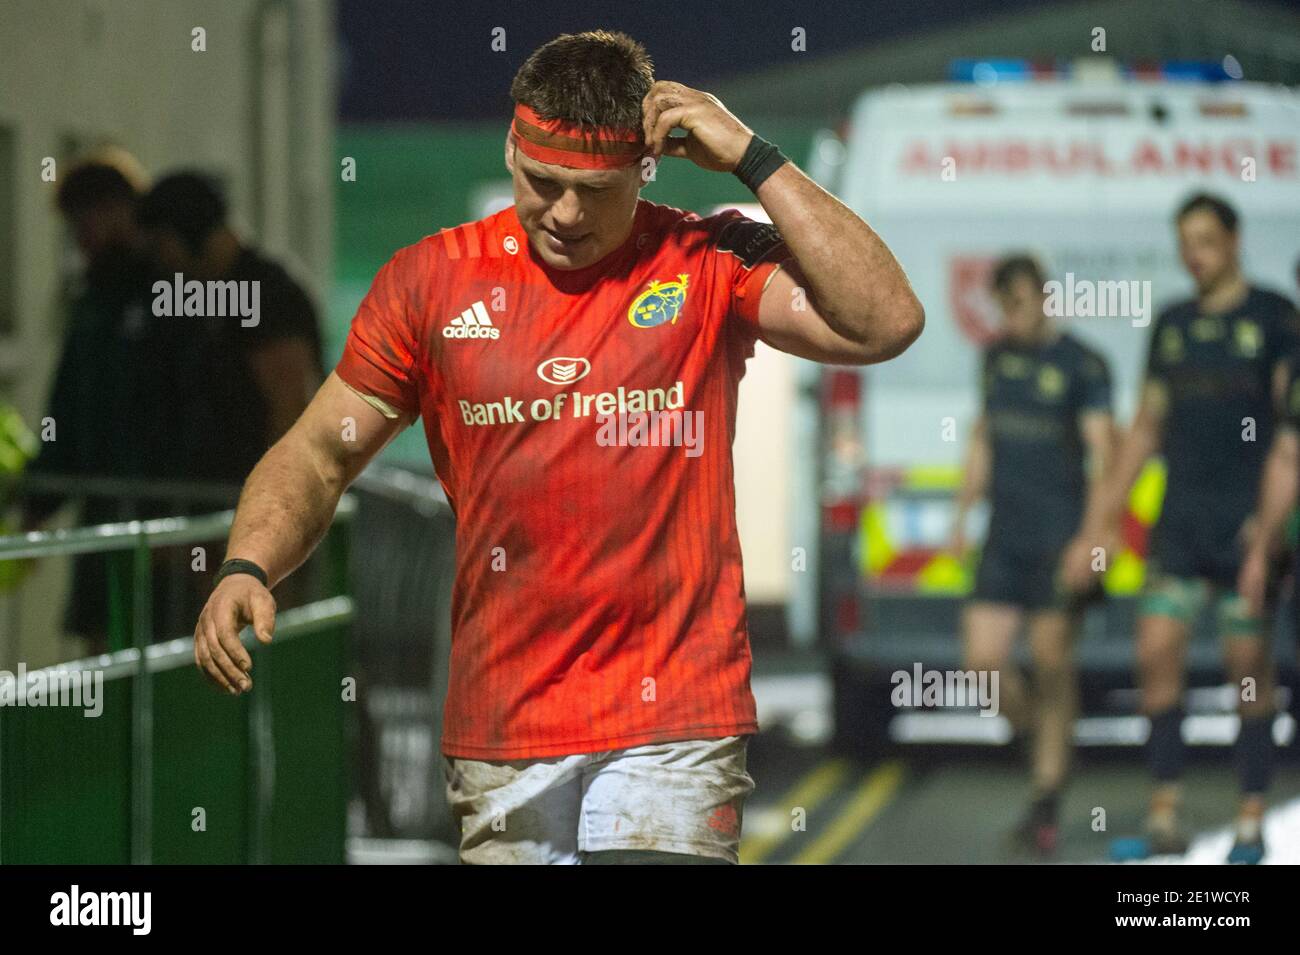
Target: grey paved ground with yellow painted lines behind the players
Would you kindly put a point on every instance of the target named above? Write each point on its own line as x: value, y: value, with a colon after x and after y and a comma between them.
x: 956, y: 806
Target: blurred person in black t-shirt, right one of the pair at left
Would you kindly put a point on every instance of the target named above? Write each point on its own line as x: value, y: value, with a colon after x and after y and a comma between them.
x: 241, y: 385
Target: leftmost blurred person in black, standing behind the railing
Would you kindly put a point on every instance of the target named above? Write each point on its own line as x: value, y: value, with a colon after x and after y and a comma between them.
x: 109, y: 403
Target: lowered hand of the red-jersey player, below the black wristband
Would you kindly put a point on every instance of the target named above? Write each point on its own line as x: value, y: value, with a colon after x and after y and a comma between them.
x: 239, y: 601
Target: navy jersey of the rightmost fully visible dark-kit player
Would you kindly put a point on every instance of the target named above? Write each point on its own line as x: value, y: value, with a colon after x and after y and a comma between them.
x: 1219, y: 372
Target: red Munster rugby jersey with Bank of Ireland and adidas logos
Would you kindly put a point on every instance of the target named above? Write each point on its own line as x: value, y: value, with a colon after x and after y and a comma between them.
x: 600, y: 601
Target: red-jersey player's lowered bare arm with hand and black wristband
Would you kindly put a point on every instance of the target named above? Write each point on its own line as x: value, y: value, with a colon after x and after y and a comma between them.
x: 285, y: 510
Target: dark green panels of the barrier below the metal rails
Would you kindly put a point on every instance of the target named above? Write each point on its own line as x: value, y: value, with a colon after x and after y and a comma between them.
x: 268, y: 769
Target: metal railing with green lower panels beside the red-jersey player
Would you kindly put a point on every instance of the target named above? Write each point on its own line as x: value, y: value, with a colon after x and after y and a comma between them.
x: 171, y: 770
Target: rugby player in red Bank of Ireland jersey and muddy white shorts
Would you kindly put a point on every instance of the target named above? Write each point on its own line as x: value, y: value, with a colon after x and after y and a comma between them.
x: 575, y: 359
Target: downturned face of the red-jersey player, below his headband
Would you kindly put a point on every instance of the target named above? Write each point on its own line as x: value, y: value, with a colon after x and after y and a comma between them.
x: 574, y: 218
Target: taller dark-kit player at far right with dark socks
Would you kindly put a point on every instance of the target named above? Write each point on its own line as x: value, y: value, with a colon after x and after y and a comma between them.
x: 1215, y: 377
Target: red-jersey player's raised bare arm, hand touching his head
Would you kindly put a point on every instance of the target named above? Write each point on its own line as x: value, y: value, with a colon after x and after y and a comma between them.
x: 857, y: 306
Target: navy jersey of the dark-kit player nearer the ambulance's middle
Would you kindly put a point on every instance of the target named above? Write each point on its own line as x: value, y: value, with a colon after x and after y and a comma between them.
x: 1034, y: 398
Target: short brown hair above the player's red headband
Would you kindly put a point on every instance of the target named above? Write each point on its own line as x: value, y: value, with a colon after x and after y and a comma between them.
x: 596, y: 79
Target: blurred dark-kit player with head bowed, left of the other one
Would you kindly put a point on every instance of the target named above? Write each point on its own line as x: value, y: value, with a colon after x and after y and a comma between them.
x: 1038, y: 452
